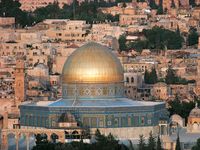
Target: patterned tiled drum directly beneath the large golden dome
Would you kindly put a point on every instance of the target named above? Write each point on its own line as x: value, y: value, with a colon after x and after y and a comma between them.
x: 93, y: 91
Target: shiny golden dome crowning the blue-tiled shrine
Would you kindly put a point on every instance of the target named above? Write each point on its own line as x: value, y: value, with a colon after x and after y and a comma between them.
x: 92, y: 63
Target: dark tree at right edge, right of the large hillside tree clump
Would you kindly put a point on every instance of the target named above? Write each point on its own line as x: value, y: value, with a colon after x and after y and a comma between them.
x: 193, y: 37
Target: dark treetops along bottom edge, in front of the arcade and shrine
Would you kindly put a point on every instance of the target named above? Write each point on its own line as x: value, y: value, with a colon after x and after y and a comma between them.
x: 102, y: 143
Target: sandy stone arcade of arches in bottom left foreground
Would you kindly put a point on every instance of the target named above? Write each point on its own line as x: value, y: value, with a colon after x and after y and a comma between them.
x: 54, y: 135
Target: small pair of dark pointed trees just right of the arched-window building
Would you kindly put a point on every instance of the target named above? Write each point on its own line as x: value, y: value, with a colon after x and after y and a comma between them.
x: 150, y: 77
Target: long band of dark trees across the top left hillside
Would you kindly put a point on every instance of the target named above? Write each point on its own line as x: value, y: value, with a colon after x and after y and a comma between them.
x: 85, y: 11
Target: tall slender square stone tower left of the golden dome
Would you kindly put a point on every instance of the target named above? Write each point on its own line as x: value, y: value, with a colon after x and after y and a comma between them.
x: 20, y: 81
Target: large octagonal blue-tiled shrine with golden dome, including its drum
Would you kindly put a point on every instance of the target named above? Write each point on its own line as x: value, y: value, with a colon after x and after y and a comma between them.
x: 93, y: 93
